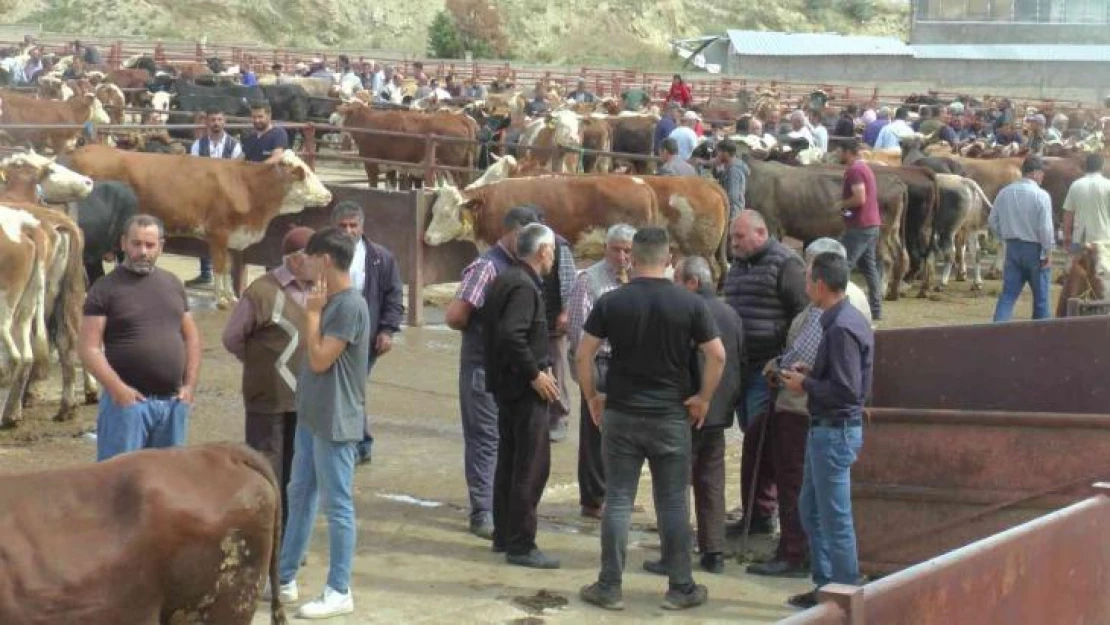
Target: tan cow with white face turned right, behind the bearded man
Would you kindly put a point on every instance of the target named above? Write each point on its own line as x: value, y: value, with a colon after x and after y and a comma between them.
x: 228, y: 204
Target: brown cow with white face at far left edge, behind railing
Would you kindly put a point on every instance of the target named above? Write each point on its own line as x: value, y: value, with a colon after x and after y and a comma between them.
x: 23, y: 109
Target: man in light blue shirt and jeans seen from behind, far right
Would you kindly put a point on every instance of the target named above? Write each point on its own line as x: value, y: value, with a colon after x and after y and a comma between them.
x: 1023, y: 217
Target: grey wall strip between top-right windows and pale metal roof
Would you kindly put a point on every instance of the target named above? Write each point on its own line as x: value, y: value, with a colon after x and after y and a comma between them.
x: 1008, y: 34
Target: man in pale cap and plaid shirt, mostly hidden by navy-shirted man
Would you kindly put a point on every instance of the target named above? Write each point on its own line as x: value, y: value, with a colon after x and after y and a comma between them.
x: 790, y: 425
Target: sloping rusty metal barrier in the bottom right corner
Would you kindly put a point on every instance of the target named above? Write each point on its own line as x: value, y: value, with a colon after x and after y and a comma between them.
x: 1047, y: 571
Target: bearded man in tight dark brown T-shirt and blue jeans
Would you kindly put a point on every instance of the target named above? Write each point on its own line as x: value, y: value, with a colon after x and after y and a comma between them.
x: 139, y: 341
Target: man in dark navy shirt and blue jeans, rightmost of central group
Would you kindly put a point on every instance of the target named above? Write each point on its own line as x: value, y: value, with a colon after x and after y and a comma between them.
x: 837, y: 386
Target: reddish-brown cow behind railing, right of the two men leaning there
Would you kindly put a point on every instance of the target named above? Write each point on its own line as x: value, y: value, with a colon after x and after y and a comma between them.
x: 409, y: 150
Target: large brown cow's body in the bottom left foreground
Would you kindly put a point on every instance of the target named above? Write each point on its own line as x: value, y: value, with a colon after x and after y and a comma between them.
x: 181, y: 536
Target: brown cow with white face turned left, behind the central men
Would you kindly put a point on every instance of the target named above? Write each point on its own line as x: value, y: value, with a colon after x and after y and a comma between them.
x: 576, y: 207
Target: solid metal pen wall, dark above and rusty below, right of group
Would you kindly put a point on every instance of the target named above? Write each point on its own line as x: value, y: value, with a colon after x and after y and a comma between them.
x: 977, y: 429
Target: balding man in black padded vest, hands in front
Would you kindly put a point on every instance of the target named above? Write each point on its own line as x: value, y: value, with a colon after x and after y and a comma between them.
x: 766, y: 286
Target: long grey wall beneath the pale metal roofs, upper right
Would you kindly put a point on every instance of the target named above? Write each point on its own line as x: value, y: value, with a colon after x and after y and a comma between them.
x: 901, y: 76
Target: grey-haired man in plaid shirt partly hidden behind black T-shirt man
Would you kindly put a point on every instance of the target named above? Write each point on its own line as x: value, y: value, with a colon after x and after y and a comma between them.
x: 591, y: 285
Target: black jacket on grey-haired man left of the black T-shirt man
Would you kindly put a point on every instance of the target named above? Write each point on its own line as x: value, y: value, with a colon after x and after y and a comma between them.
x: 516, y: 334
